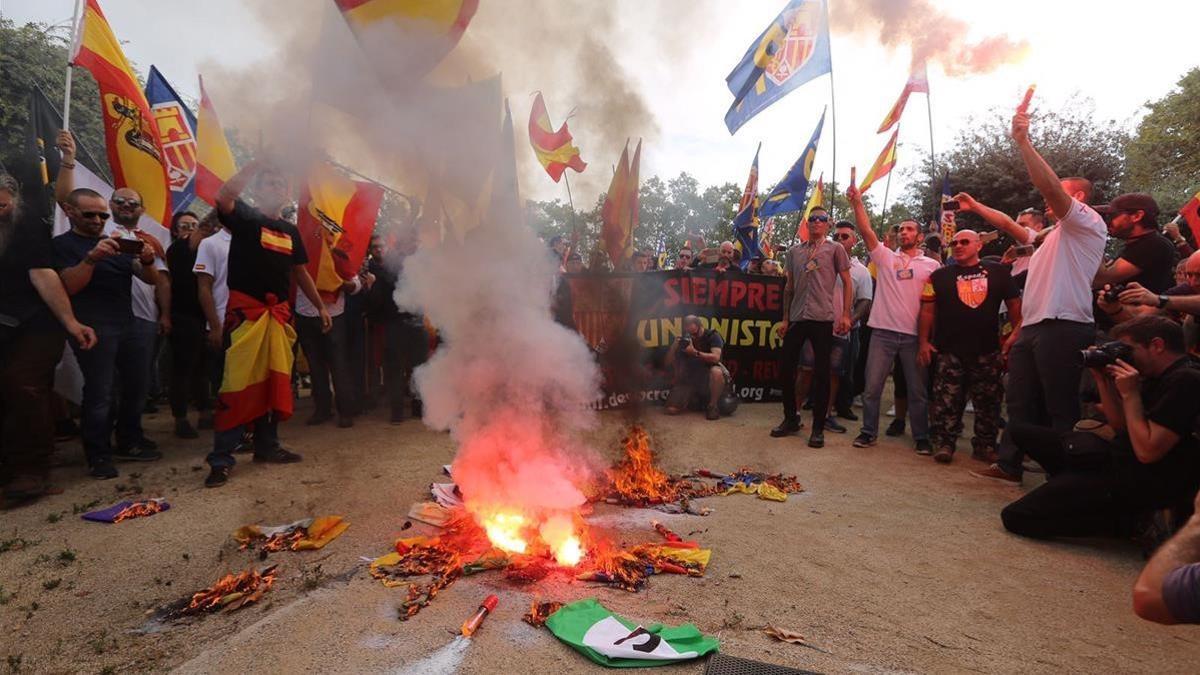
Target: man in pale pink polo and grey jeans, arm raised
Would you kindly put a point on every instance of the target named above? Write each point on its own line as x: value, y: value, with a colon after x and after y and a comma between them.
x: 901, y: 278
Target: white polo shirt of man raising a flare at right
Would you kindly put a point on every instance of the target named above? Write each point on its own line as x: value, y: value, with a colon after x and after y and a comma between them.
x: 1061, y: 271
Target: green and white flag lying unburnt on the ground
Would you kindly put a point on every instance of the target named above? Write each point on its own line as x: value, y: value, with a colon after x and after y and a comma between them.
x: 620, y: 643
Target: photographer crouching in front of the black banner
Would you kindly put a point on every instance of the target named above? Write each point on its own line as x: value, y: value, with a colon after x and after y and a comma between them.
x: 699, y: 374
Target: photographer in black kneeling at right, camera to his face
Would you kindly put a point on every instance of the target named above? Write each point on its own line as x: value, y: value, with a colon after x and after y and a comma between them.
x: 1099, y: 487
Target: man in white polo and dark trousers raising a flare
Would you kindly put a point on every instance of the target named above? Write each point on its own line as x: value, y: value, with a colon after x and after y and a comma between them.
x: 1045, y: 368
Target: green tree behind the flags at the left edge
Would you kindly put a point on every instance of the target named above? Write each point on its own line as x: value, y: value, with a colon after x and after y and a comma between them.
x: 35, y: 56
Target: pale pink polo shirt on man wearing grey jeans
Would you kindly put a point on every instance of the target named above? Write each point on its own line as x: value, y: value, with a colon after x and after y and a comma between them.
x: 899, y: 282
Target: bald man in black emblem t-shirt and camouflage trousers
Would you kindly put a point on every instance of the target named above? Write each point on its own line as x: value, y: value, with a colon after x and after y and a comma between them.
x: 961, y: 322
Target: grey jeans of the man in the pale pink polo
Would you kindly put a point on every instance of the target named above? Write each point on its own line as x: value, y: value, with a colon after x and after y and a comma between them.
x: 885, y: 348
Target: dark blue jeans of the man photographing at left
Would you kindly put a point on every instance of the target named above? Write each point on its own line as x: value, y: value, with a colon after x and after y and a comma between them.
x: 124, y: 349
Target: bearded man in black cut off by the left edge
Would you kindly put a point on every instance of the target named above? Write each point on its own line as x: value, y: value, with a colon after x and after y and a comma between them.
x: 32, y: 298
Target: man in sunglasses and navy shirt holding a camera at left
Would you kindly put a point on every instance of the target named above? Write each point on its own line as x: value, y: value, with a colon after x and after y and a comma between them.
x: 98, y: 273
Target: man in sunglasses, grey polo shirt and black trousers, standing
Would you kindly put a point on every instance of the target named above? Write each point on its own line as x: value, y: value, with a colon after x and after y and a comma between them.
x: 811, y: 319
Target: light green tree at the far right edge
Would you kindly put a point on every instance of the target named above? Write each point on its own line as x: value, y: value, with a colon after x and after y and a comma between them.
x: 1165, y: 154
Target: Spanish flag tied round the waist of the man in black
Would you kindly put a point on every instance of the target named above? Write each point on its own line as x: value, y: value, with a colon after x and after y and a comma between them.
x: 257, y: 377
